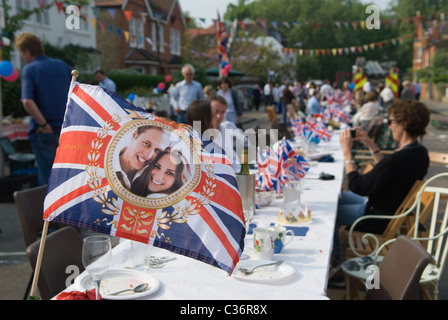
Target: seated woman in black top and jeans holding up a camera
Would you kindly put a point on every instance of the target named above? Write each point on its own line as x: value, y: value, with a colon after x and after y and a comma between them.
x: 381, y: 190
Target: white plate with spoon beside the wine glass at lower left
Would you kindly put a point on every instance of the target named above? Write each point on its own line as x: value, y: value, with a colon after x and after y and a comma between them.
x: 116, y: 280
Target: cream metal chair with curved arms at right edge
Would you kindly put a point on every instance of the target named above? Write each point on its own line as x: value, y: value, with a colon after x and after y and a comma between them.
x: 433, y: 238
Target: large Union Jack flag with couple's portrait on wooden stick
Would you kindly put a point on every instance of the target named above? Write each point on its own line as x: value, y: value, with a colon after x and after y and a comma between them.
x: 202, y: 219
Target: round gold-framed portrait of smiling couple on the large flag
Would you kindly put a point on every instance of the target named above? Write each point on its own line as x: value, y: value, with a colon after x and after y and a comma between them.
x: 151, y: 164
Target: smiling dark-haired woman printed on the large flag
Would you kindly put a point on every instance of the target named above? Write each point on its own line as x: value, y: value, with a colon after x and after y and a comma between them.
x: 162, y: 176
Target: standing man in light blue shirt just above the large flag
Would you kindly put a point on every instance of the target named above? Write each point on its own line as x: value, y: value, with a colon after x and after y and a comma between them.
x: 185, y: 92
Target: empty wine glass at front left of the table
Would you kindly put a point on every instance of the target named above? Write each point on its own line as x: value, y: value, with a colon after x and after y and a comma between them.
x: 96, y: 258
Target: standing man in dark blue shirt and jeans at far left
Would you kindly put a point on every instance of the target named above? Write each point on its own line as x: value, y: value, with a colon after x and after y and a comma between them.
x: 45, y: 86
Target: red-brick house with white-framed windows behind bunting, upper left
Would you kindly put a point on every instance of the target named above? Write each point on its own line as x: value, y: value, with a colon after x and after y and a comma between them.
x: 146, y: 35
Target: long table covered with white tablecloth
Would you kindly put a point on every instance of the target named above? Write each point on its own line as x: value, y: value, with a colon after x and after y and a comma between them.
x: 309, y: 255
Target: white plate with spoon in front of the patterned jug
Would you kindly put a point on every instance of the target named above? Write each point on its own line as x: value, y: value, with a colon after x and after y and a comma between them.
x: 263, y: 274
